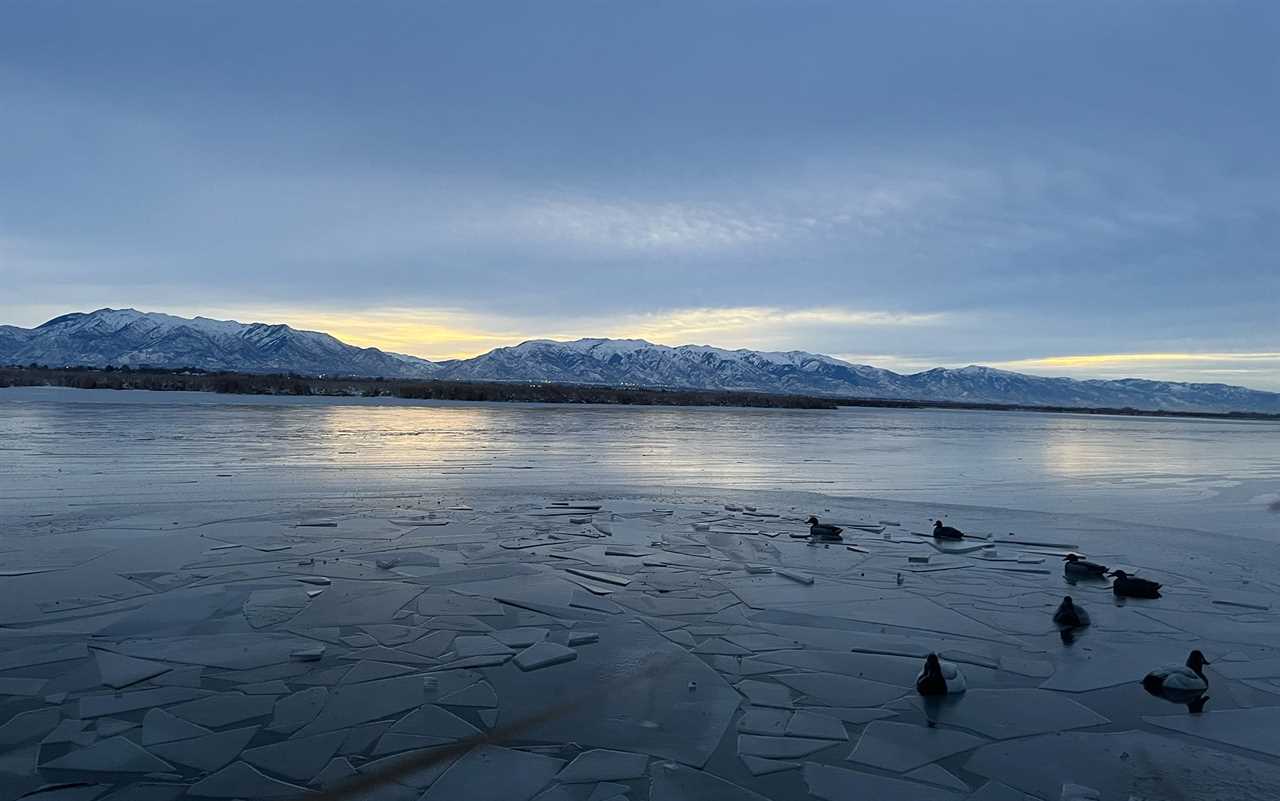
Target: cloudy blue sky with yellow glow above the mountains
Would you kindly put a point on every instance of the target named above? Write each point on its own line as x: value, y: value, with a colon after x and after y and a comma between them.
x: 1085, y: 189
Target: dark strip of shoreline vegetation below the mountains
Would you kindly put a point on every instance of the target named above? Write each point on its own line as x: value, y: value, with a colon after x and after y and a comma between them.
x: 428, y: 390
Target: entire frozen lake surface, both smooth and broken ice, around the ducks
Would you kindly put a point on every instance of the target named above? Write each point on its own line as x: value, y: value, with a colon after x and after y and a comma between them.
x: 228, y: 598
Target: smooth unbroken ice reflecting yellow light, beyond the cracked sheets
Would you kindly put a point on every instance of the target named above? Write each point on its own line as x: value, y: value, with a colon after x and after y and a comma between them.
x: 1209, y: 475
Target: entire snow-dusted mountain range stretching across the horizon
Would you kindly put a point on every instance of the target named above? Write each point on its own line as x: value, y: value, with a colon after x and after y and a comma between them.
x: 130, y: 337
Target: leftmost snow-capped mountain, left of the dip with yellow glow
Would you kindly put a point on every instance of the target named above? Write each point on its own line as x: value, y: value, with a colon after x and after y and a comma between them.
x: 130, y: 337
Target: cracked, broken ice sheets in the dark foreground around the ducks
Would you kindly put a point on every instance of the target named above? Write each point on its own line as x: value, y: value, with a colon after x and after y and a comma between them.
x: 152, y: 651
